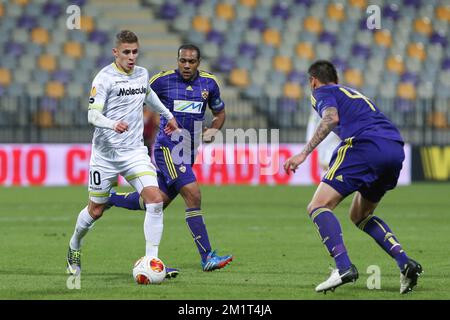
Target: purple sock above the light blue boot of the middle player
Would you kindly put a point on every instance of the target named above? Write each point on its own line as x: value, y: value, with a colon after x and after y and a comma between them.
x: 194, y: 220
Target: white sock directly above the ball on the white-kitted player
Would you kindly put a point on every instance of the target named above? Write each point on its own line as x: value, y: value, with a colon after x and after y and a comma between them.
x: 153, y: 228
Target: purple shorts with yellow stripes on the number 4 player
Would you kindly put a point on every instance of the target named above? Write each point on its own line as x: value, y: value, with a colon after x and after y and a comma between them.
x: 370, y: 165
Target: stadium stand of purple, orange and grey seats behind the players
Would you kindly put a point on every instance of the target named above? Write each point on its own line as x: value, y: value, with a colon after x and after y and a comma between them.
x: 260, y: 51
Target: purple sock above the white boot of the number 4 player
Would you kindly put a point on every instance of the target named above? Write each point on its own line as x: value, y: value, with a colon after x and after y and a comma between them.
x: 331, y: 234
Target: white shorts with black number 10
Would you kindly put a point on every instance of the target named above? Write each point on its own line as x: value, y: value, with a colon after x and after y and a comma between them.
x: 107, y: 164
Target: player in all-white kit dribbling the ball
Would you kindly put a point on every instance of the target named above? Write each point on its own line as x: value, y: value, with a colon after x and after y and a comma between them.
x: 118, y: 94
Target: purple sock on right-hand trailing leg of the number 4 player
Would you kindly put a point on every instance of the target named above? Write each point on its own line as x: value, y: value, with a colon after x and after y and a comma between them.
x: 380, y: 231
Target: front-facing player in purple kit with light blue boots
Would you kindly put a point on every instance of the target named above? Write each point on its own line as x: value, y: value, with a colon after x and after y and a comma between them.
x: 186, y: 92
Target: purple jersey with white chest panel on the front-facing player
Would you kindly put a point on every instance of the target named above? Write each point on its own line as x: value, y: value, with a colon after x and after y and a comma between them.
x: 187, y: 100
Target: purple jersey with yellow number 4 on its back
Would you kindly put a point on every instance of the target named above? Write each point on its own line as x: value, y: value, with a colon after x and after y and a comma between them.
x: 358, y: 116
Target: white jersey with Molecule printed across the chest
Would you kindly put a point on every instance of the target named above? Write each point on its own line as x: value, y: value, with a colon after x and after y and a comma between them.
x: 120, y: 96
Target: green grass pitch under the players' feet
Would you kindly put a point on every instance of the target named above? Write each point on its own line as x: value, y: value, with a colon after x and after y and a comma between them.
x: 277, y: 251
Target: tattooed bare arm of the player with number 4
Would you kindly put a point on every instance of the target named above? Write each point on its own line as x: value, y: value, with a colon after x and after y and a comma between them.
x: 330, y: 120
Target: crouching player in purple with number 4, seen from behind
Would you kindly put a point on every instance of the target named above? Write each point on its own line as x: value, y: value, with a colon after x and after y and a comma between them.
x: 367, y: 161
